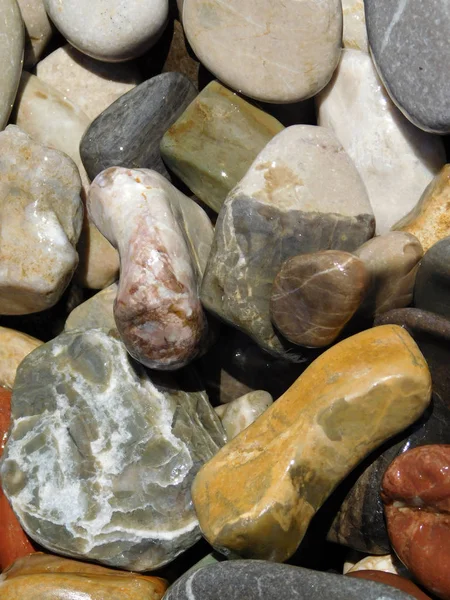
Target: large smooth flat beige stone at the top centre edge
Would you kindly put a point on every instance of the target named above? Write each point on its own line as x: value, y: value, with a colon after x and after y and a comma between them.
x: 285, y: 55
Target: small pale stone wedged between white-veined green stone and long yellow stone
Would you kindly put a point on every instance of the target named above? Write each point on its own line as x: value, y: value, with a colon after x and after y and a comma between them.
x: 242, y: 412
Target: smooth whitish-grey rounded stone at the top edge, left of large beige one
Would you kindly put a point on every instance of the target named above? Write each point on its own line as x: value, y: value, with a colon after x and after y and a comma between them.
x: 109, y: 30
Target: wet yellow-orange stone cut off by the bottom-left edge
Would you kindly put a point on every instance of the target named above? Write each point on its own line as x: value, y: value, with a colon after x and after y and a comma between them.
x: 55, y: 578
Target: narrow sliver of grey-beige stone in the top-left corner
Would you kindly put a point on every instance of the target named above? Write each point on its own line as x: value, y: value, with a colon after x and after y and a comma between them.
x: 11, y: 56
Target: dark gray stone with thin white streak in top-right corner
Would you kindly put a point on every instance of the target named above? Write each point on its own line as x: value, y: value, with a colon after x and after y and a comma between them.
x: 409, y: 40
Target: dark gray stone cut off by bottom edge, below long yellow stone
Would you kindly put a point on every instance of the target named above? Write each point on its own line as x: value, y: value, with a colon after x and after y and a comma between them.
x: 261, y: 580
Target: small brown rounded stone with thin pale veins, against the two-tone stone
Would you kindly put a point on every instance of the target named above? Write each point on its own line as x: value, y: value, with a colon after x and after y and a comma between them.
x: 315, y: 295
